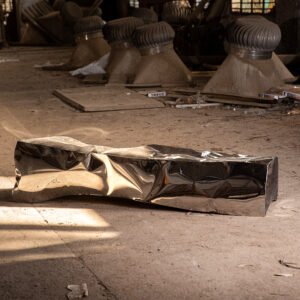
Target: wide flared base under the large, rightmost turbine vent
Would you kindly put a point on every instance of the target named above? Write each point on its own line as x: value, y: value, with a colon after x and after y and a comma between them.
x: 246, y: 77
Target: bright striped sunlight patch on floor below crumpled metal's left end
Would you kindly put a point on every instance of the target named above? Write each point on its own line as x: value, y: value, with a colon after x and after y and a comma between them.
x: 32, y: 233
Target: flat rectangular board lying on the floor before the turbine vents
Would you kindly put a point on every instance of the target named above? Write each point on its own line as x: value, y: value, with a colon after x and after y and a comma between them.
x: 100, y: 99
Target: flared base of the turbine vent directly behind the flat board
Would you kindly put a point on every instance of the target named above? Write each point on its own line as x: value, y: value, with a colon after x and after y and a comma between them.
x: 164, y: 68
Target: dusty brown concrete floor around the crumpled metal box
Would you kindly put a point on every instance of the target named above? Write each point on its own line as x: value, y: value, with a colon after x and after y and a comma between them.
x: 126, y: 250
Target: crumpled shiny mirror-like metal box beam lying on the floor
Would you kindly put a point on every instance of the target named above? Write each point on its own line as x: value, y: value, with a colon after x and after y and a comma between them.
x: 53, y: 167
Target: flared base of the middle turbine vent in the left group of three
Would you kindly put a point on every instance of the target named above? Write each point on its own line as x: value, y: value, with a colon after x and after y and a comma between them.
x: 122, y: 64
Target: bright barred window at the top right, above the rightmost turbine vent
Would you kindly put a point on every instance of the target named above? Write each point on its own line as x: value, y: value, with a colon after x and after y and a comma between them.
x: 252, y: 6
